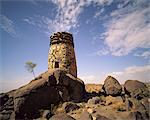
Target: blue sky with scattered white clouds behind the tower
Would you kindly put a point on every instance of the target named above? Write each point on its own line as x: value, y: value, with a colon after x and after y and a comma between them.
x: 111, y: 37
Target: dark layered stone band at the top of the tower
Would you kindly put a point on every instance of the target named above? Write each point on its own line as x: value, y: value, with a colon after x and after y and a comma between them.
x: 61, y: 37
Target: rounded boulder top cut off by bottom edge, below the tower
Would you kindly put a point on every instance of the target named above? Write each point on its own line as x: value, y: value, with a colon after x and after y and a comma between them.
x: 62, y: 116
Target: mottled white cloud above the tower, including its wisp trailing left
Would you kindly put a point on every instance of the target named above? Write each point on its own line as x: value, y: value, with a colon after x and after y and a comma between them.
x: 67, y: 16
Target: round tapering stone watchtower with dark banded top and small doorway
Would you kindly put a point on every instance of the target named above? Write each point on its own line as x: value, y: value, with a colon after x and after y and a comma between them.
x: 61, y: 53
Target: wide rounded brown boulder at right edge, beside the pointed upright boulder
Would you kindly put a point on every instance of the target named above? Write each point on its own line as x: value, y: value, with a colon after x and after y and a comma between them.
x: 136, y: 89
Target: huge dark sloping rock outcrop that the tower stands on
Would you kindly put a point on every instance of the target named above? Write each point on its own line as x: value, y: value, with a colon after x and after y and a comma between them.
x: 49, y: 88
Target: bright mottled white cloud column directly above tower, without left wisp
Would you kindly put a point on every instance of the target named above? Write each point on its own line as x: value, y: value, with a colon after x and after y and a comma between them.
x: 69, y: 11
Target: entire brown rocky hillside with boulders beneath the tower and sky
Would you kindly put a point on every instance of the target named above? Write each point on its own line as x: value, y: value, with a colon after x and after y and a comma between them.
x: 57, y: 95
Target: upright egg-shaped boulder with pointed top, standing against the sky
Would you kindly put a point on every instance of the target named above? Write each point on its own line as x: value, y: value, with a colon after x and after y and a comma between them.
x: 112, y: 86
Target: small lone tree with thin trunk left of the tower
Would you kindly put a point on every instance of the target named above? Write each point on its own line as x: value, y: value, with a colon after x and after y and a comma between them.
x: 29, y: 65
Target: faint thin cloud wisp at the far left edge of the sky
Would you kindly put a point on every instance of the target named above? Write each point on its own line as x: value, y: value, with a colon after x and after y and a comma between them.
x: 7, y: 25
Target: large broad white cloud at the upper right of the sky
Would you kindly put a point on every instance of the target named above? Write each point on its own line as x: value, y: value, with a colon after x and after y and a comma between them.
x: 128, y: 29
